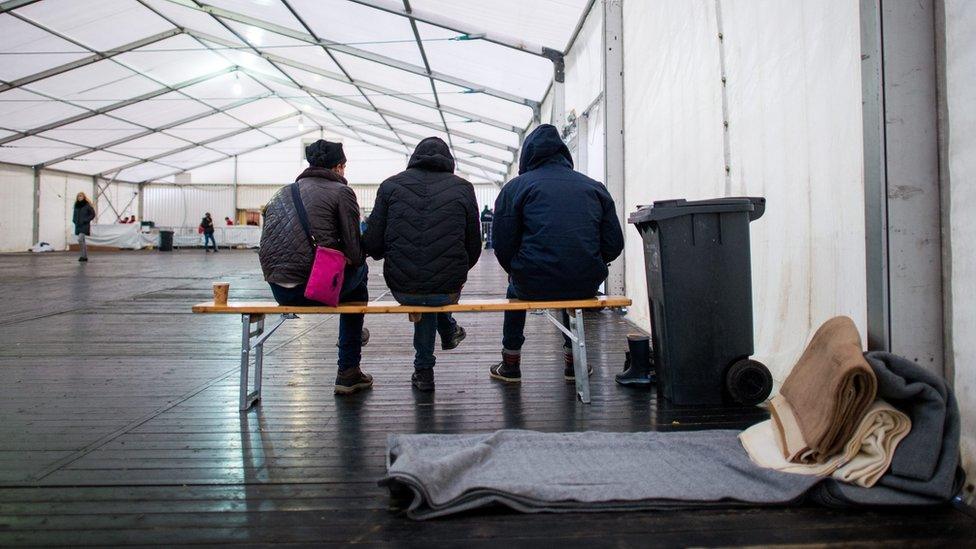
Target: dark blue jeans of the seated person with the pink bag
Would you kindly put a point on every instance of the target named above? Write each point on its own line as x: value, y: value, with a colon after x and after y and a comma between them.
x: 350, y: 325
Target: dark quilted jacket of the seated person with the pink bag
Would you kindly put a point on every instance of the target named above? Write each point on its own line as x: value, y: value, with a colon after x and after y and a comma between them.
x: 333, y: 214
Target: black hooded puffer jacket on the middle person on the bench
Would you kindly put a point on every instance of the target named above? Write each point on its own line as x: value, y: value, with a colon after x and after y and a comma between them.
x: 425, y: 224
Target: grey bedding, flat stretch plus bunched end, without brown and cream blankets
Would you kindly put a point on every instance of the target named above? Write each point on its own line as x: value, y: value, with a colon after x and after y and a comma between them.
x: 535, y: 472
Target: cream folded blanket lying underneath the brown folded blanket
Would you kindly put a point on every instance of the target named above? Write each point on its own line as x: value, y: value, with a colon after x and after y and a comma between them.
x: 864, y: 459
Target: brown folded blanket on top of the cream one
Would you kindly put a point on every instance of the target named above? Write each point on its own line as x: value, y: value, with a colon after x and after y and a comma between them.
x: 826, y: 395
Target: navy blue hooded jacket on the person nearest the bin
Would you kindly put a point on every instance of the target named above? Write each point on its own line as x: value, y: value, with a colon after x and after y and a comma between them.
x: 555, y: 230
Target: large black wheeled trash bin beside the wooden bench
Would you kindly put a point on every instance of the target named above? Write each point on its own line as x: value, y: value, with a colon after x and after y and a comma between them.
x: 699, y: 283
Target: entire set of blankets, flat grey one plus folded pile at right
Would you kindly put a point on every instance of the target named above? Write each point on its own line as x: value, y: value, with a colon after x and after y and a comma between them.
x: 873, y: 429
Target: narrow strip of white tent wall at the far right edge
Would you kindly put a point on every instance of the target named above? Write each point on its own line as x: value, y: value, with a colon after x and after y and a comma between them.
x: 960, y: 20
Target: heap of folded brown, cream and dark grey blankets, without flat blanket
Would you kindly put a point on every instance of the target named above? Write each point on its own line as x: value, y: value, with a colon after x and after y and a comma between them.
x: 871, y: 420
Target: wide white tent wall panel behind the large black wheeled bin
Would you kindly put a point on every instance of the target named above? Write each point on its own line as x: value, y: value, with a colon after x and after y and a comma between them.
x: 794, y: 137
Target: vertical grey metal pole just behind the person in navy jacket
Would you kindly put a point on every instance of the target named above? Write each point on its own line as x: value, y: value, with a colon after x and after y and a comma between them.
x: 613, y: 98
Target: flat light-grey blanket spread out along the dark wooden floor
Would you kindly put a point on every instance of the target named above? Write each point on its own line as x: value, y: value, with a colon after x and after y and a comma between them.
x: 591, y: 471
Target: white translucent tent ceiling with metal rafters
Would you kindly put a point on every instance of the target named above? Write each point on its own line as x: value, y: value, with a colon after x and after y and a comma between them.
x: 141, y: 90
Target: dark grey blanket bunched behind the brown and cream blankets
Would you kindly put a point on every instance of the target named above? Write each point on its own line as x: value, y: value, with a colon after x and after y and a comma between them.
x: 925, y: 466
